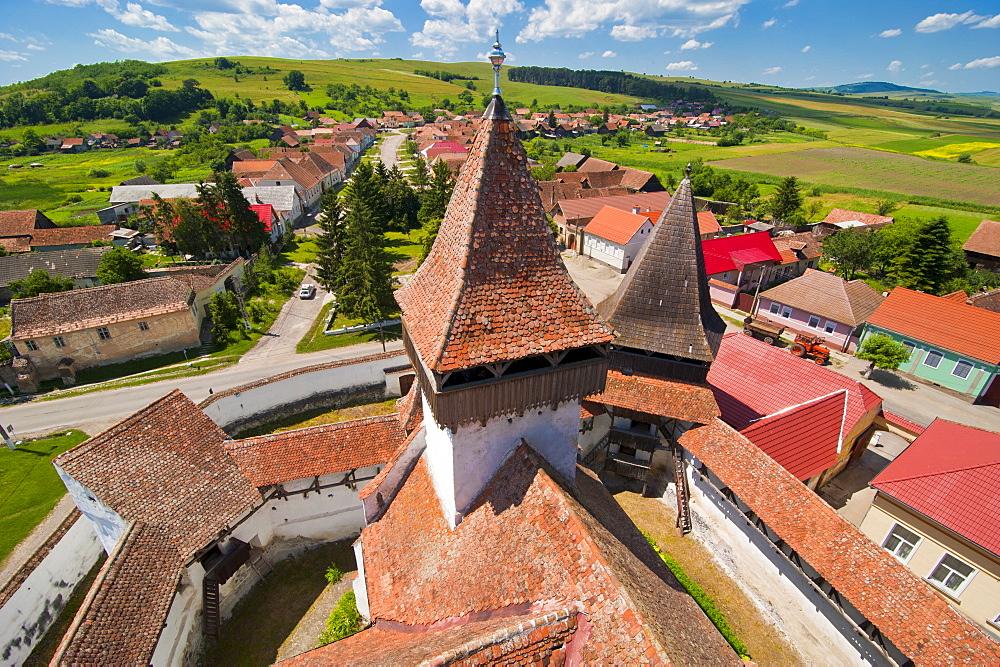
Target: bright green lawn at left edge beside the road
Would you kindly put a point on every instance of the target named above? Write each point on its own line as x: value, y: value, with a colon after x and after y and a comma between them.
x: 29, y: 486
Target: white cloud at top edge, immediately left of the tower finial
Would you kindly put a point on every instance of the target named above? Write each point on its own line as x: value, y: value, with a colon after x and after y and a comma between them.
x: 454, y: 23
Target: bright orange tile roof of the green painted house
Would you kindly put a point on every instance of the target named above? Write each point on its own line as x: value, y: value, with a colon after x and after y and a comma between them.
x: 961, y: 328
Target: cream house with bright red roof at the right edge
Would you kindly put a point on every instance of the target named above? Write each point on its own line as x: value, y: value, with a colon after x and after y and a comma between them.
x: 934, y: 510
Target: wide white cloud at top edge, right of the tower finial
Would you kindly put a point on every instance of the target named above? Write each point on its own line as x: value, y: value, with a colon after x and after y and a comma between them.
x: 628, y: 20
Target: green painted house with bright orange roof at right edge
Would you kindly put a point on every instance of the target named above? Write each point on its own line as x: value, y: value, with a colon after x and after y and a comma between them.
x: 952, y: 344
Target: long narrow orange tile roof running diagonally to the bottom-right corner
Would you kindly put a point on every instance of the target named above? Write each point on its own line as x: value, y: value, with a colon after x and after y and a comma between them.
x: 916, y: 619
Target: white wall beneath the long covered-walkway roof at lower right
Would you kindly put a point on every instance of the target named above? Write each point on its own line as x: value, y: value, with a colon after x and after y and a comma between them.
x: 779, y: 590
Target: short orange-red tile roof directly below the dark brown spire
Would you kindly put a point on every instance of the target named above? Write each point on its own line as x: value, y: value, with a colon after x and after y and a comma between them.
x: 665, y: 398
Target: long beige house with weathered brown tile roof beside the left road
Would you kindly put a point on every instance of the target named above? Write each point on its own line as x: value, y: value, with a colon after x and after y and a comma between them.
x: 96, y: 326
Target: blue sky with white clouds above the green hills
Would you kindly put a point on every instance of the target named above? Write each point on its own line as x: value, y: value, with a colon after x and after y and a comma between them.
x: 942, y: 45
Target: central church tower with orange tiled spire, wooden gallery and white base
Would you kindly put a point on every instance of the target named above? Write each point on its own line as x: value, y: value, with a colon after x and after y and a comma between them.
x: 504, y: 344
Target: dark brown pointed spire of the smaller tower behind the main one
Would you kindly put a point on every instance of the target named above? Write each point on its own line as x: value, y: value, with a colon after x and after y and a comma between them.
x: 663, y: 305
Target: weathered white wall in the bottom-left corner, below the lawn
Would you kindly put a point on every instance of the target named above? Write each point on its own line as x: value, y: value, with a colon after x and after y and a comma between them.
x: 36, y: 604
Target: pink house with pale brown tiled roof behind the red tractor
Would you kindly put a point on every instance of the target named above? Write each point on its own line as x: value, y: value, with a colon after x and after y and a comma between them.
x: 819, y: 303
